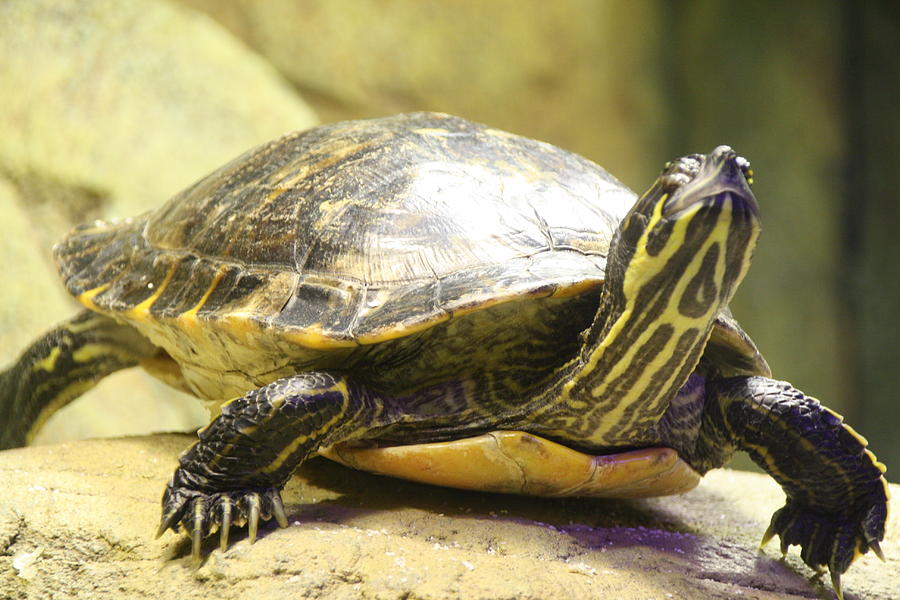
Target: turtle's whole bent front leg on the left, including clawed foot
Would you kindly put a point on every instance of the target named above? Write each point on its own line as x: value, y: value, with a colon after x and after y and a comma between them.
x: 235, y: 473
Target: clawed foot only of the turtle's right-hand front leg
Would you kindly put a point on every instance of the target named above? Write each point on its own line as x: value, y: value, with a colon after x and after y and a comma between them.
x: 828, y: 541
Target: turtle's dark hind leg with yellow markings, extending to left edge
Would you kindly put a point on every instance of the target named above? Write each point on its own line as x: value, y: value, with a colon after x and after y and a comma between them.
x: 60, y: 366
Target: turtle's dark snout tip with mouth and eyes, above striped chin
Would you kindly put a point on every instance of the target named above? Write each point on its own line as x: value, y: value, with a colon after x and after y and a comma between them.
x: 711, y: 180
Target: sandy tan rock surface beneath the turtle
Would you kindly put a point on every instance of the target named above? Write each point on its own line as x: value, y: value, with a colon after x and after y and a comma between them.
x: 77, y: 519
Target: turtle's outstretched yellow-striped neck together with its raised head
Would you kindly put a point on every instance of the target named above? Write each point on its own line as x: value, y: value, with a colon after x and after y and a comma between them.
x: 675, y: 262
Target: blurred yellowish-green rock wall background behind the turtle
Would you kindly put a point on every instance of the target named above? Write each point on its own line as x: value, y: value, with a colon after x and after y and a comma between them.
x: 109, y: 108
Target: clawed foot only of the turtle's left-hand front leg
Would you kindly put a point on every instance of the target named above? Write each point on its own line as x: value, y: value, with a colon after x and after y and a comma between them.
x: 201, y: 514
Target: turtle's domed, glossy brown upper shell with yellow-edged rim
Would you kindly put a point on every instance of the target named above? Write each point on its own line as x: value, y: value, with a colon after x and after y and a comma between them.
x: 352, y: 233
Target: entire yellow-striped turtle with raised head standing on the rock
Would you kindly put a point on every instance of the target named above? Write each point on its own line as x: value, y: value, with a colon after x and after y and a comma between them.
x: 432, y: 298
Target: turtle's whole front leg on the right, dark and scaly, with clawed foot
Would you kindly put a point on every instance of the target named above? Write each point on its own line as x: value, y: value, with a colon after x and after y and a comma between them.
x: 836, y: 493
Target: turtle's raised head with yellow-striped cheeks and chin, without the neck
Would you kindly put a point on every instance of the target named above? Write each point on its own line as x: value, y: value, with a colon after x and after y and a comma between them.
x: 693, y: 233
